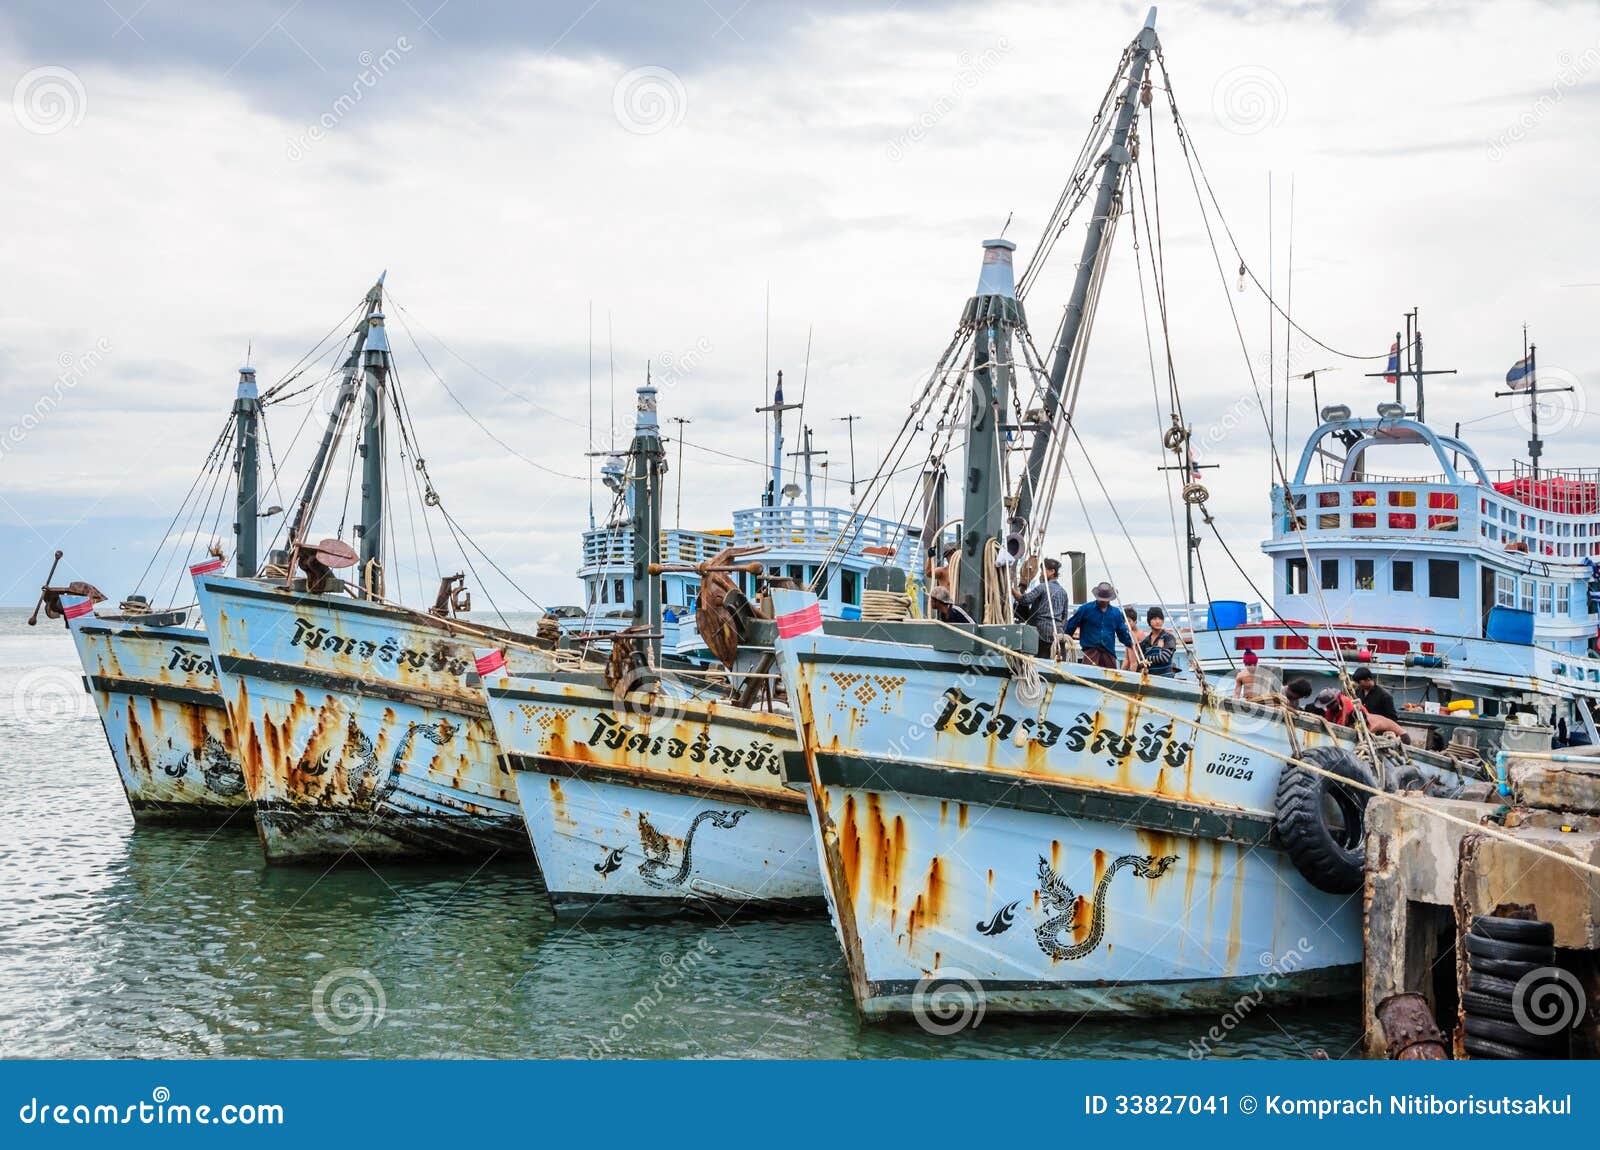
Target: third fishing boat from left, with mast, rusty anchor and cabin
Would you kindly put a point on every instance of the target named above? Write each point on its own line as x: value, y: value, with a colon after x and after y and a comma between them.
x: 658, y: 786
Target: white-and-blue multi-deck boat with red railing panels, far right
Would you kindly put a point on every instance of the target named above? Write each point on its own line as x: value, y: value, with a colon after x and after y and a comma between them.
x: 1471, y: 594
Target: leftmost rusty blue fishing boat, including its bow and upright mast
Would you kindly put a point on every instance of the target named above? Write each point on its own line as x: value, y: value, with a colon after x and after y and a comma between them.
x: 151, y: 674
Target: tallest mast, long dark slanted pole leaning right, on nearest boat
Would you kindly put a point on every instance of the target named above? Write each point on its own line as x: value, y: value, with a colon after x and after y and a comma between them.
x: 1116, y: 164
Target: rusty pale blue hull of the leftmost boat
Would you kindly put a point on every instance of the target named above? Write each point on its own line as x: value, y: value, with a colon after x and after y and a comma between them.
x: 162, y: 713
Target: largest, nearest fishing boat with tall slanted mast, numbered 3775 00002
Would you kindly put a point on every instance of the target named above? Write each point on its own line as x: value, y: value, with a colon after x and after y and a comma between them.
x: 1054, y: 837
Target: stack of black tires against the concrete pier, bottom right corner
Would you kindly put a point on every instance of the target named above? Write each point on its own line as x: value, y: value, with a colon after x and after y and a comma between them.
x: 1502, y: 956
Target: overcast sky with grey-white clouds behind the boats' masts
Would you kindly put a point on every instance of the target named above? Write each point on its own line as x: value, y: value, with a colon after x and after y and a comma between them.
x: 191, y: 180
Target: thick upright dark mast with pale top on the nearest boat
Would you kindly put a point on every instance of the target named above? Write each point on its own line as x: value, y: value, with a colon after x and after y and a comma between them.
x: 994, y: 311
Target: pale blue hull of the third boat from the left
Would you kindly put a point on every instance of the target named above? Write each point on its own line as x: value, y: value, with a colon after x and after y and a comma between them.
x: 650, y: 804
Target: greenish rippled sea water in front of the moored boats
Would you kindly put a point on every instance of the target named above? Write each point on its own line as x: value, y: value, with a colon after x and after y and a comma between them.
x: 153, y: 943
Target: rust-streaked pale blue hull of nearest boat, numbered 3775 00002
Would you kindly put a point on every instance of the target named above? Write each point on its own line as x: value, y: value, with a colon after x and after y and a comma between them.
x: 1073, y: 853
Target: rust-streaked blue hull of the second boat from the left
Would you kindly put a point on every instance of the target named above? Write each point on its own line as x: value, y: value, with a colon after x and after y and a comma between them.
x: 358, y: 732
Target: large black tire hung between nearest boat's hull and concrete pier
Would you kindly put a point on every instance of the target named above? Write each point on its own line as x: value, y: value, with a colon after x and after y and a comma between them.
x: 1334, y: 863
